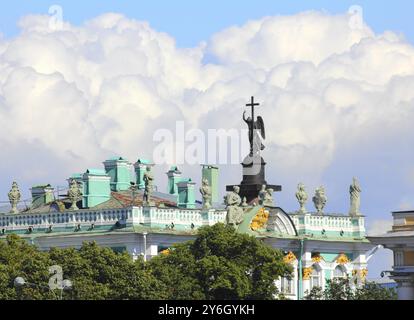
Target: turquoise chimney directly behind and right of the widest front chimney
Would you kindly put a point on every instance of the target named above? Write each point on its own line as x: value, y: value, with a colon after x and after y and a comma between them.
x: 118, y: 169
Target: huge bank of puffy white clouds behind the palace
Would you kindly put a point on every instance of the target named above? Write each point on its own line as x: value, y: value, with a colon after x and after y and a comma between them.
x: 337, y: 100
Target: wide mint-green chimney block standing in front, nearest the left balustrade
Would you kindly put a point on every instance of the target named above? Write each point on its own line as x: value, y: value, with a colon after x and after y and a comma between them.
x: 96, y: 187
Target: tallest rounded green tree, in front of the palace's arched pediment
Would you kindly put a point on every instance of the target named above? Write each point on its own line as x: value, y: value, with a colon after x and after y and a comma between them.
x: 221, y: 264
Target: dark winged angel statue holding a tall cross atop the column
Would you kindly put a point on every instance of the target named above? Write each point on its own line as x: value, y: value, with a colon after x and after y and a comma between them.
x: 256, y: 129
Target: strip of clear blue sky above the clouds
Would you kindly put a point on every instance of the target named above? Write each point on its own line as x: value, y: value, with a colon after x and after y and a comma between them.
x: 193, y: 21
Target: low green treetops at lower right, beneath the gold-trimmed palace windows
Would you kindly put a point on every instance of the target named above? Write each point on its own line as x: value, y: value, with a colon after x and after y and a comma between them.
x: 340, y: 289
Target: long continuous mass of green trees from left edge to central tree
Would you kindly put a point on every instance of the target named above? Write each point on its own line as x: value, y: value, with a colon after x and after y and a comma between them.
x: 219, y: 264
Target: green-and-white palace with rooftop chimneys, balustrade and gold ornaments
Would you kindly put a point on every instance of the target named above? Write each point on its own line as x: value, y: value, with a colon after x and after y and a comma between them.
x: 115, y: 208
